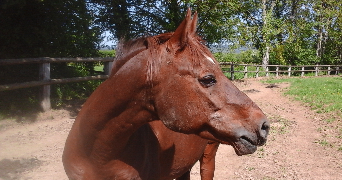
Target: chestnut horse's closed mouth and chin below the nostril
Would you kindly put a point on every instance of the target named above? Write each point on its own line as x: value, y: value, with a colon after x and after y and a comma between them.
x: 244, y: 146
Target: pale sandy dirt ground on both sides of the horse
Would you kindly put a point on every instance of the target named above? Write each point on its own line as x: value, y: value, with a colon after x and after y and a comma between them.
x: 294, y: 150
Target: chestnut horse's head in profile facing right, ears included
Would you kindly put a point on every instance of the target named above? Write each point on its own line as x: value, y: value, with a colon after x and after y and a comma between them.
x: 192, y: 95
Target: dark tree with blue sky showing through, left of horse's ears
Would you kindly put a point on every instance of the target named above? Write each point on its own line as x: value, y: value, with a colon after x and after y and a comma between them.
x: 127, y: 19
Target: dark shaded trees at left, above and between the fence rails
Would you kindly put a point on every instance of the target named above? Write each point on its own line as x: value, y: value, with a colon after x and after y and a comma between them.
x: 42, y: 28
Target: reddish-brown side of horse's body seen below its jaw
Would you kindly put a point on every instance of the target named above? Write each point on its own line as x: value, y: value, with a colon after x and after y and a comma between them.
x: 178, y: 151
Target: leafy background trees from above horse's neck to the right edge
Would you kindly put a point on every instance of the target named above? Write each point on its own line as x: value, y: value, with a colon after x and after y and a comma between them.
x: 291, y: 30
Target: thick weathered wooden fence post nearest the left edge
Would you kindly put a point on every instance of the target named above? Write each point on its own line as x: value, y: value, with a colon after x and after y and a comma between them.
x: 44, y: 74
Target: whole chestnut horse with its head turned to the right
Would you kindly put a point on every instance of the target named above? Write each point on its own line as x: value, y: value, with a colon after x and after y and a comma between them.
x: 160, y: 111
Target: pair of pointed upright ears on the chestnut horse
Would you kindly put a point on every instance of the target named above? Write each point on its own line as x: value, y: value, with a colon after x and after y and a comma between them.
x: 186, y: 30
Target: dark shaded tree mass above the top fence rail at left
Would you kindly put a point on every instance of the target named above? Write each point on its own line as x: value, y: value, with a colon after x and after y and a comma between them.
x: 40, y: 28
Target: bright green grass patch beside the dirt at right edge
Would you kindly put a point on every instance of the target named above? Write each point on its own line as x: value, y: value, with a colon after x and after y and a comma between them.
x: 323, y: 94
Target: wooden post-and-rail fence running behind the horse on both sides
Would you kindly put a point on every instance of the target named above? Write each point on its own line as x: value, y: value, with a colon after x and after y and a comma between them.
x: 45, y: 81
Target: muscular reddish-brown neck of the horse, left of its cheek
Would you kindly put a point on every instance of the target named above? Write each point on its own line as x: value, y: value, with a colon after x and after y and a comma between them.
x: 116, y: 109
